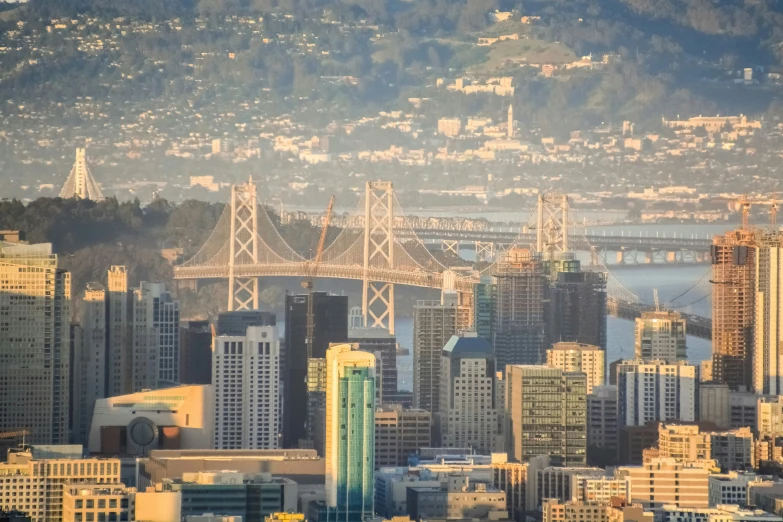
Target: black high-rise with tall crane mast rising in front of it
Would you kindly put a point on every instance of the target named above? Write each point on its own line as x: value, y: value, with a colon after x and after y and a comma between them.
x: 330, y: 319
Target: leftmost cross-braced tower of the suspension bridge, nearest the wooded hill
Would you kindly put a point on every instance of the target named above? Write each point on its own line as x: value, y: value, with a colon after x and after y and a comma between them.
x: 243, y: 247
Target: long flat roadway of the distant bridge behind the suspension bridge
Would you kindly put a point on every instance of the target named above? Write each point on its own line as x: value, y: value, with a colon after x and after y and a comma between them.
x: 614, y: 243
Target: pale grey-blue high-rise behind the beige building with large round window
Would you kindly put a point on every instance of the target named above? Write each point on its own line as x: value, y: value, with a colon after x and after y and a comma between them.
x: 155, y: 337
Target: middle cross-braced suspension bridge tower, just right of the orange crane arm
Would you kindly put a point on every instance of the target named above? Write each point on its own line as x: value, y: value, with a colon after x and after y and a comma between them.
x: 378, y: 297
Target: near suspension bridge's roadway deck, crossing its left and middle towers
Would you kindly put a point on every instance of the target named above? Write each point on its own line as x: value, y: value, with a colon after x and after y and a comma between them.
x: 421, y: 278
